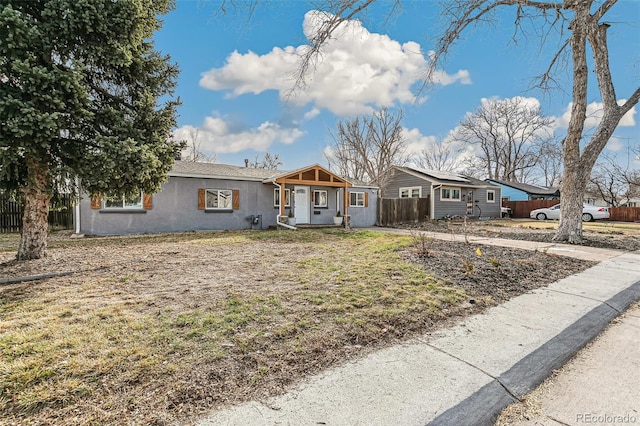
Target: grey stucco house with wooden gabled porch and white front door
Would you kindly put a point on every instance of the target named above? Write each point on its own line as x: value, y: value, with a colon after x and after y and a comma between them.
x: 208, y: 196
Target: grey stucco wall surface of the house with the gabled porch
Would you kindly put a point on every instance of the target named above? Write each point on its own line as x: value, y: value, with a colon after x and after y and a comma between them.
x: 175, y: 209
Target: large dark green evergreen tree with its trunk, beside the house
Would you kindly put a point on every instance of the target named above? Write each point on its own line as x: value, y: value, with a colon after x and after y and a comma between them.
x: 80, y: 90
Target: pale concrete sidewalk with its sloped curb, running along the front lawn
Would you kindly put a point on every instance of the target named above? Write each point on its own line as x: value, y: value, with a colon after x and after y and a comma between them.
x: 466, y: 374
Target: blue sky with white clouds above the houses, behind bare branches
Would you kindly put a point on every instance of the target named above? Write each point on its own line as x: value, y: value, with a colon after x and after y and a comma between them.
x: 235, y: 74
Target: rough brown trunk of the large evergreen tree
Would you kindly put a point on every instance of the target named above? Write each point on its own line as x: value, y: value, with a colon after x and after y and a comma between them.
x: 35, y: 223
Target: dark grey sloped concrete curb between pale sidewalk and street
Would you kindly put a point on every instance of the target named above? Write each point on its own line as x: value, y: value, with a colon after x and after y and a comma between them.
x: 486, y: 404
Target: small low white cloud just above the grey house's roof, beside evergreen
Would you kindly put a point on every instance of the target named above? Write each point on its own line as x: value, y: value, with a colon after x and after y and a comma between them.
x: 216, y: 136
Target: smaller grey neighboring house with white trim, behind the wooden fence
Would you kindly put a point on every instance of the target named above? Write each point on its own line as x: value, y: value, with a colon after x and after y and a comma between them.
x: 451, y: 194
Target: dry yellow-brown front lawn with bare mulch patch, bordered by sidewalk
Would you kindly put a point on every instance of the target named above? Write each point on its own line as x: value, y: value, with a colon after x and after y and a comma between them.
x: 160, y: 329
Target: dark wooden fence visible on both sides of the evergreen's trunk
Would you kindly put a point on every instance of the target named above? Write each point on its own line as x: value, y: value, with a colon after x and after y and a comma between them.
x: 60, y: 214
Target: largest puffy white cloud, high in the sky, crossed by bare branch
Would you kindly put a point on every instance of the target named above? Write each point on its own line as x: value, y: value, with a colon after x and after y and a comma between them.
x: 357, y: 72
